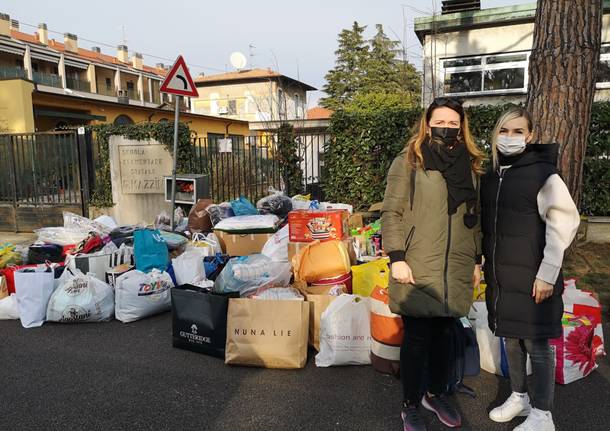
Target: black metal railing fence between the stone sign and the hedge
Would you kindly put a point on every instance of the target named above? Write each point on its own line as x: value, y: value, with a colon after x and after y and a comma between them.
x: 248, y: 166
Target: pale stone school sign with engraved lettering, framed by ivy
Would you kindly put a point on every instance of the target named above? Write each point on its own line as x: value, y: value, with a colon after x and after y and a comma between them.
x: 137, y: 169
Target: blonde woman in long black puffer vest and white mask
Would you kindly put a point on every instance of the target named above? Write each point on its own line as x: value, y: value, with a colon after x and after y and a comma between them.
x: 528, y: 220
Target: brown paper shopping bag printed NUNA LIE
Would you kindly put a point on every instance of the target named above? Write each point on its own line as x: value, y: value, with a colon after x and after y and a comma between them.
x: 267, y: 333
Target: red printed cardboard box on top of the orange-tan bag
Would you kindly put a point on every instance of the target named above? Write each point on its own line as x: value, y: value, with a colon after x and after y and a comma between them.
x: 311, y: 225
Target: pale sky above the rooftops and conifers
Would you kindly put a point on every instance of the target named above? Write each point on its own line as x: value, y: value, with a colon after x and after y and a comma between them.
x: 296, y: 39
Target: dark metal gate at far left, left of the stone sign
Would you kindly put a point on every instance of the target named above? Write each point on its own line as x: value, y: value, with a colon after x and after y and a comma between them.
x: 40, y: 177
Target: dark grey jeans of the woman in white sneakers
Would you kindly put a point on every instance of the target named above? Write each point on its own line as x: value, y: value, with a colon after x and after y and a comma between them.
x: 542, y: 357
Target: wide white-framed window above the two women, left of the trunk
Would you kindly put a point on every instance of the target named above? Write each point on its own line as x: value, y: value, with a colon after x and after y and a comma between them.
x: 498, y: 73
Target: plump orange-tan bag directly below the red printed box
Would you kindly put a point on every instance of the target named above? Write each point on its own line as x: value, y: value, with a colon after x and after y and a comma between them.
x: 320, y: 260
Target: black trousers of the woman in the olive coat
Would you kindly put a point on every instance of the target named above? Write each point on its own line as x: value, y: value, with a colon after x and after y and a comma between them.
x: 424, y: 356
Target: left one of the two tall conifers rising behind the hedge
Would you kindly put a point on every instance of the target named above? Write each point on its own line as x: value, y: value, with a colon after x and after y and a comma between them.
x: 345, y: 80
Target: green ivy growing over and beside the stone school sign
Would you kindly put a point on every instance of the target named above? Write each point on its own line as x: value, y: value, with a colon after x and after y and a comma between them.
x: 162, y: 132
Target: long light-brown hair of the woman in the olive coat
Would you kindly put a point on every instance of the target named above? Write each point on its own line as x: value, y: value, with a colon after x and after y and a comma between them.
x: 414, y: 154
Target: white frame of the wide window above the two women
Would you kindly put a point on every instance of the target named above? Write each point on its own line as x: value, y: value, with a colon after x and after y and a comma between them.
x: 483, y: 67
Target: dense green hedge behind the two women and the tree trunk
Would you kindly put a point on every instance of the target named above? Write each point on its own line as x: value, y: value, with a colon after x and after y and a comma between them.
x: 369, y: 132
